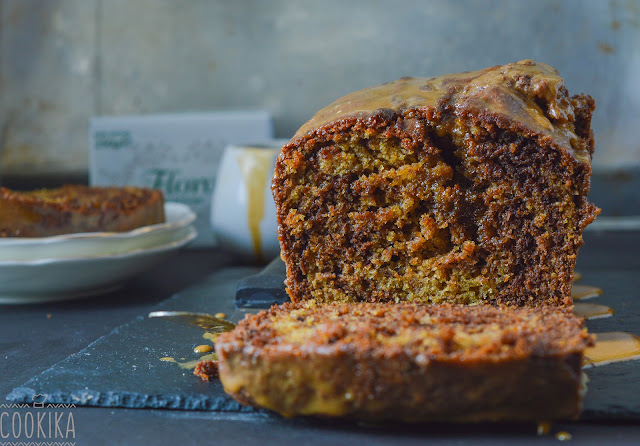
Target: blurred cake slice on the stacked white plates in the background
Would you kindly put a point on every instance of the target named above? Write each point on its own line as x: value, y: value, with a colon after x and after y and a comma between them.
x: 78, y: 208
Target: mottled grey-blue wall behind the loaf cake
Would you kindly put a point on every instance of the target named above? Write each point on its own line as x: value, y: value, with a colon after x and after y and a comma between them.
x: 62, y: 61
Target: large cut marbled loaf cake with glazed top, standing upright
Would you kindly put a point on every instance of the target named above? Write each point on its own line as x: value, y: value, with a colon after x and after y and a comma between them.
x: 466, y: 188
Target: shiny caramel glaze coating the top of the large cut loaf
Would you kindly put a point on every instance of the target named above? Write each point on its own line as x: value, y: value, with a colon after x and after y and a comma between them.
x: 525, y: 96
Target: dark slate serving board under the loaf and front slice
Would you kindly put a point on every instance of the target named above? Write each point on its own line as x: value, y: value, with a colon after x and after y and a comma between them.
x: 123, y: 368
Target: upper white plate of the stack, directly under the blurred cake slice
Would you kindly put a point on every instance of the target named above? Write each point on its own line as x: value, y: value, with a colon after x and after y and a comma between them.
x: 178, y: 216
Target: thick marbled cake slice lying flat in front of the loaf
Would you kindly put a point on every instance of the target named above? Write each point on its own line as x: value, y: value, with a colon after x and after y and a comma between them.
x: 407, y: 362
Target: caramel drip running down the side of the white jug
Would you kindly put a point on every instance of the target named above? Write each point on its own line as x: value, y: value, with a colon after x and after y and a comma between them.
x: 255, y: 165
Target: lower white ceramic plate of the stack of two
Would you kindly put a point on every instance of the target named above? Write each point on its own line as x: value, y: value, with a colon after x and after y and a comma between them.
x: 44, y: 280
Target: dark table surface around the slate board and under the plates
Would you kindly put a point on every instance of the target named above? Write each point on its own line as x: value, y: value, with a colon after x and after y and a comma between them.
x: 34, y: 337
